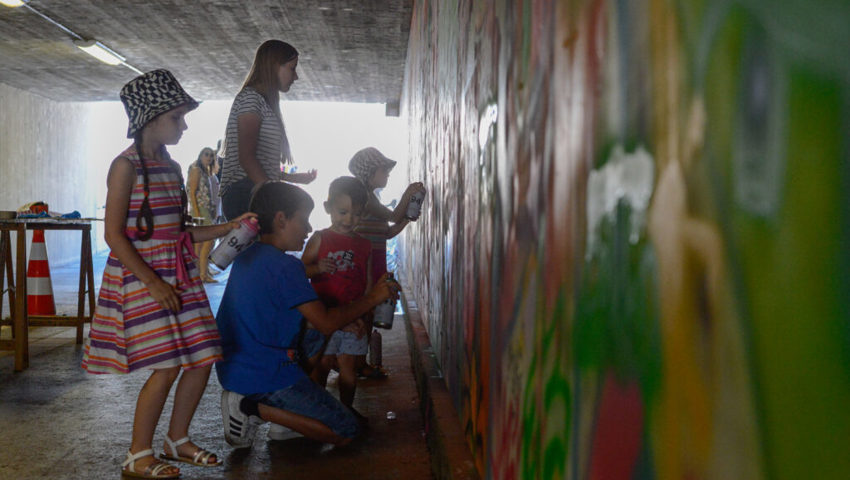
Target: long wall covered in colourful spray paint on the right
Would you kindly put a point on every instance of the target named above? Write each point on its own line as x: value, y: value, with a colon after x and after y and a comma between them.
x: 634, y: 260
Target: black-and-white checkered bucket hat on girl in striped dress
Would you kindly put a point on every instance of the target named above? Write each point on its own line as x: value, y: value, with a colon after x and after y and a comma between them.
x: 152, y: 94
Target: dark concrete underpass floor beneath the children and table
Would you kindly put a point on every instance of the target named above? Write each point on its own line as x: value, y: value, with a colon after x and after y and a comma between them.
x: 59, y: 422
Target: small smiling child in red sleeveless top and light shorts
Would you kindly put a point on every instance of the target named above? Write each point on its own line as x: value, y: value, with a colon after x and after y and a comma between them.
x: 338, y: 262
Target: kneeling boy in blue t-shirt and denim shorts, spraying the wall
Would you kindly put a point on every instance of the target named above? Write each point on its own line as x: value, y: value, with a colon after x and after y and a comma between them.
x: 261, y: 319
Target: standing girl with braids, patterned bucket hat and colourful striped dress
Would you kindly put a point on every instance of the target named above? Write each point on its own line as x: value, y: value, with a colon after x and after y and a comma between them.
x: 152, y: 312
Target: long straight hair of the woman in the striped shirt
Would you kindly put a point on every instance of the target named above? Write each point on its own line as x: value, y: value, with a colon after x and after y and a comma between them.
x: 263, y: 78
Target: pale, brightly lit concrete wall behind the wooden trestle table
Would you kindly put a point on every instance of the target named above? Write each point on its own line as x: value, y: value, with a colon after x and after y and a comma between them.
x: 58, y: 153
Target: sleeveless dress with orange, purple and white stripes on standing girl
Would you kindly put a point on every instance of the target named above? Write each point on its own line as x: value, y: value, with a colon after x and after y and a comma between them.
x: 130, y: 331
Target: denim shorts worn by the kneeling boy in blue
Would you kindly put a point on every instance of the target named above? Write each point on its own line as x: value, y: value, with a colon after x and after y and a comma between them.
x: 306, y: 398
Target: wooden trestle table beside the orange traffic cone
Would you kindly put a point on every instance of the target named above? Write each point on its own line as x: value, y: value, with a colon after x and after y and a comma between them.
x: 17, y: 290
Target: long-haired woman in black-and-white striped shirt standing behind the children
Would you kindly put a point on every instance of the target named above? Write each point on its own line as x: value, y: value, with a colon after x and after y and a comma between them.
x: 255, y: 144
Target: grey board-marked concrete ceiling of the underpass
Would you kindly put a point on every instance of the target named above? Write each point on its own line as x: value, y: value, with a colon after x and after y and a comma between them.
x: 350, y: 50
